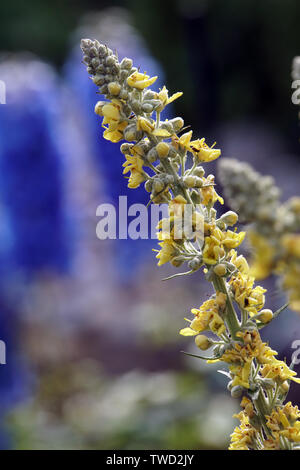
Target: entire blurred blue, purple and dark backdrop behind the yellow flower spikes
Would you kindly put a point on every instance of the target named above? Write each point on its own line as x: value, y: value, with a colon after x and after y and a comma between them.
x: 93, y: 351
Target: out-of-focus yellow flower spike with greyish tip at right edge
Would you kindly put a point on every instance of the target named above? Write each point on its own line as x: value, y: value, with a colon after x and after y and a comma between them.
x: 274, y: 227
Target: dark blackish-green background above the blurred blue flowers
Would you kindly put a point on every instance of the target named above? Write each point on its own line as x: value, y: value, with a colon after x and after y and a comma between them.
x: 230, y: 58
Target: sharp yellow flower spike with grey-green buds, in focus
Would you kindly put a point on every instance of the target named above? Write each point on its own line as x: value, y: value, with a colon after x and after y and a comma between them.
x: 168, y: 161
